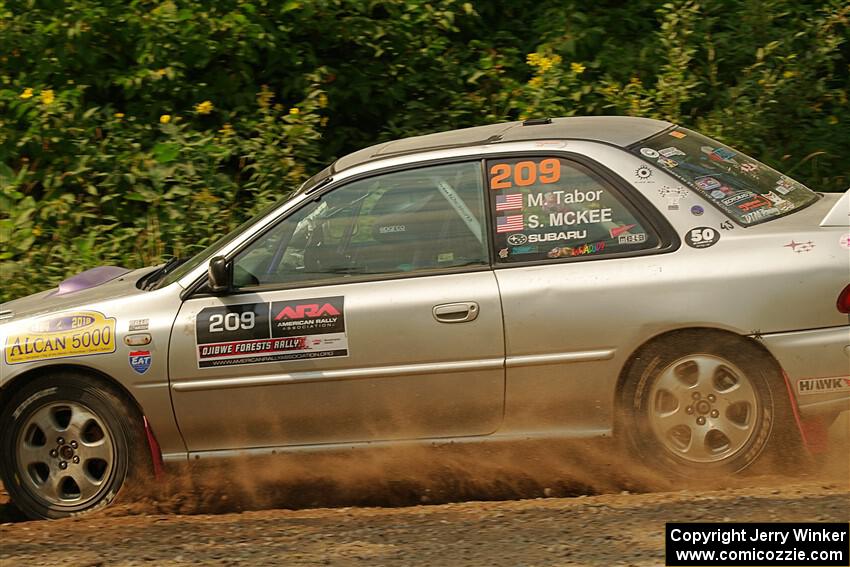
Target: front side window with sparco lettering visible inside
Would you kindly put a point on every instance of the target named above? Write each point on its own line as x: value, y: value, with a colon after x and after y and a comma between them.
x: 423, y: 219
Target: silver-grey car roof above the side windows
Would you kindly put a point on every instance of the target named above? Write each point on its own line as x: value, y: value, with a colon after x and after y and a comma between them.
x: 617, y: 130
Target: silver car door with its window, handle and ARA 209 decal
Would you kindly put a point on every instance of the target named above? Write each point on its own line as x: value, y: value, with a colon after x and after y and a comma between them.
x: 369, y: 314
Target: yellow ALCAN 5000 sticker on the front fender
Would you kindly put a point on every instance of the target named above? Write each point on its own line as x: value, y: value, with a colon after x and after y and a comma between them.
x: 75, y: 334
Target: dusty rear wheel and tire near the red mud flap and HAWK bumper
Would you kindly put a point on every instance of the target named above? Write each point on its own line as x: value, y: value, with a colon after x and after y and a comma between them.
x: 703, y: 405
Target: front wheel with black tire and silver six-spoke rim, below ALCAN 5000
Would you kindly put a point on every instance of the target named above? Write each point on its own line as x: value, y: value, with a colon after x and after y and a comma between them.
x: 68, y: 444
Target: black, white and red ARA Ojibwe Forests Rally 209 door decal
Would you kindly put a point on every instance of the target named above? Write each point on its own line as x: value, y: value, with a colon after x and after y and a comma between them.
x: 256, y: 333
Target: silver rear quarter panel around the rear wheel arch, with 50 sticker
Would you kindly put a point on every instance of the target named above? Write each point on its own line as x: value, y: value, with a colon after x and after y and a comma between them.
x: 599, y: 312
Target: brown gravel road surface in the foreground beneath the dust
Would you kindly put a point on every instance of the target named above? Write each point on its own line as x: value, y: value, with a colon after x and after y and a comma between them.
x: 621, y: 529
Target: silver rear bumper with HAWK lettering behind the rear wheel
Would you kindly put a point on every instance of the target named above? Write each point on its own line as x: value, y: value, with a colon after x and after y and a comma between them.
x: 817, y: 363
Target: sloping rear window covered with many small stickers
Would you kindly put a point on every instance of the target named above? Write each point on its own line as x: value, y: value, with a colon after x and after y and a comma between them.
x: 748, y: 191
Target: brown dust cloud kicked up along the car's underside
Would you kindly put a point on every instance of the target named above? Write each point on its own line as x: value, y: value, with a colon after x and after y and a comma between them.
x: 450, y: 472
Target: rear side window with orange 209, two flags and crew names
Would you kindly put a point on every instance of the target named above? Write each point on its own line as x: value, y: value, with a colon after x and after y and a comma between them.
x: 548, y: 208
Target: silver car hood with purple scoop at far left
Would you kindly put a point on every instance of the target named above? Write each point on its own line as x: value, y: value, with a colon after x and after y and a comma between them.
x: 108, y: 282
